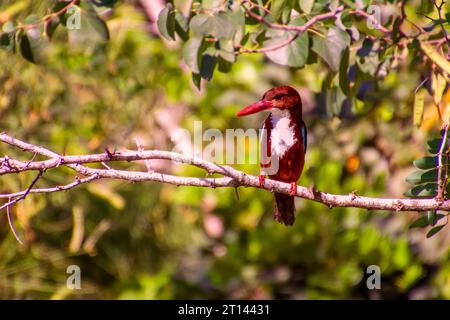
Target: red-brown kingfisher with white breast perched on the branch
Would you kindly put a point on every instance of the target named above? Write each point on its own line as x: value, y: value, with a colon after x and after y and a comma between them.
x: 283, y: 142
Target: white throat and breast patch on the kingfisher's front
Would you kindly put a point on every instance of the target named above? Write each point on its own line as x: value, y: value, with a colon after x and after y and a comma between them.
x: 282, y: 133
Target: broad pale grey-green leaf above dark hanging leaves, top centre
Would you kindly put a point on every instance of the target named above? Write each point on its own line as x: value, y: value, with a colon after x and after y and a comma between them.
x: 218, y: 25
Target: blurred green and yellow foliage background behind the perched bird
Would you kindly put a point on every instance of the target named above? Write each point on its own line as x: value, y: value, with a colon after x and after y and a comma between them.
x: 157, y: 241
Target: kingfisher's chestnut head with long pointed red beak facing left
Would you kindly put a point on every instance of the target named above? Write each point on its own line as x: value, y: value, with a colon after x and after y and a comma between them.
x: 282, y: 97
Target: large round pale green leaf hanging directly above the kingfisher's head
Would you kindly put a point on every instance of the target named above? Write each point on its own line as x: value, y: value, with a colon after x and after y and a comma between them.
x: 294, y: 54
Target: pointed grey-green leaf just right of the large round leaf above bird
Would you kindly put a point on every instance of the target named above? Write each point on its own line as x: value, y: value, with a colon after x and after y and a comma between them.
x: 331, y: 49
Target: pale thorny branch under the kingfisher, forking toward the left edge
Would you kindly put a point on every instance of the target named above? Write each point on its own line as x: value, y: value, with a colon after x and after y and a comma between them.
x: 231, y: 178
